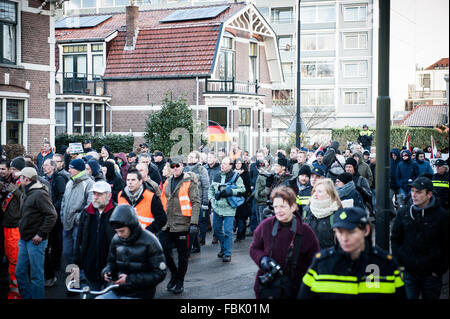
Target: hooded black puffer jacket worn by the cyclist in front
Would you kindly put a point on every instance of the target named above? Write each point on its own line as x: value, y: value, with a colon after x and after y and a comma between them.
x: 140, y: 257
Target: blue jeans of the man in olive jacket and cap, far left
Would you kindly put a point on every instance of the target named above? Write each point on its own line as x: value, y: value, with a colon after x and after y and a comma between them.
x: 32, y: 256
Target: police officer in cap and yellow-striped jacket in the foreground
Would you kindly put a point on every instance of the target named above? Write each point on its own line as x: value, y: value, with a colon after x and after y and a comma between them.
x: 353, y: 268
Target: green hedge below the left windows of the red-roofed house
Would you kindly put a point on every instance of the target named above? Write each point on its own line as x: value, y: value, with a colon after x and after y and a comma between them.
x: 117, y: 143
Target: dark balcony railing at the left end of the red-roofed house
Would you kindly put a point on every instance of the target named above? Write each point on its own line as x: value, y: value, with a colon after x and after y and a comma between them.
x: 81, y: 83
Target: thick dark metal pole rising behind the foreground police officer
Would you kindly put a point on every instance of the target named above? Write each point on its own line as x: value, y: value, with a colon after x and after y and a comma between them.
x: 383, y: 203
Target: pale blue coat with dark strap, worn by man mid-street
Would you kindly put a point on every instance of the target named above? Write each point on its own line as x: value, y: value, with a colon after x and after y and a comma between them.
x: 221, y: 206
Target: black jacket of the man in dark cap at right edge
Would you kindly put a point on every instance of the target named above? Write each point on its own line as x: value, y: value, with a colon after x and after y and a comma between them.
x: 420, y: 239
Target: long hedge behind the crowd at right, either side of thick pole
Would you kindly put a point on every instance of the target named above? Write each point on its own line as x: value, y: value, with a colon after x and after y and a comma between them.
x: 419, y: 137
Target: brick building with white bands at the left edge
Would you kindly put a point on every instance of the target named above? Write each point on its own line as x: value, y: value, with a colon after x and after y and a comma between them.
x: 27, y: 73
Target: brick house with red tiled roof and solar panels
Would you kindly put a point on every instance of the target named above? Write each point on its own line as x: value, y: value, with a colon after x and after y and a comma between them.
x: 113, y: 69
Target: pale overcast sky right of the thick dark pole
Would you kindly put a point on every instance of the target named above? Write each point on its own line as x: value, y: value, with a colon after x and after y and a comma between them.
x: 419, y: 35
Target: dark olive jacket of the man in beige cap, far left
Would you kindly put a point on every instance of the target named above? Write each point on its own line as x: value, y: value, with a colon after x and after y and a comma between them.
x: 38, y: 215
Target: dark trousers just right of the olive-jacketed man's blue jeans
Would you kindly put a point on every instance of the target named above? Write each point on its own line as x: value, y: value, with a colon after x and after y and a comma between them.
x: 53, y: 252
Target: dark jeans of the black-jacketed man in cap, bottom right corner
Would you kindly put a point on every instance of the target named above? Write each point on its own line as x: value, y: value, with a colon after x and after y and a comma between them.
x: 429, y: 285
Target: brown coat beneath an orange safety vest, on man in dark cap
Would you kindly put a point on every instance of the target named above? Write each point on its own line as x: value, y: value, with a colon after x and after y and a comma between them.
x: 176, y: 221
